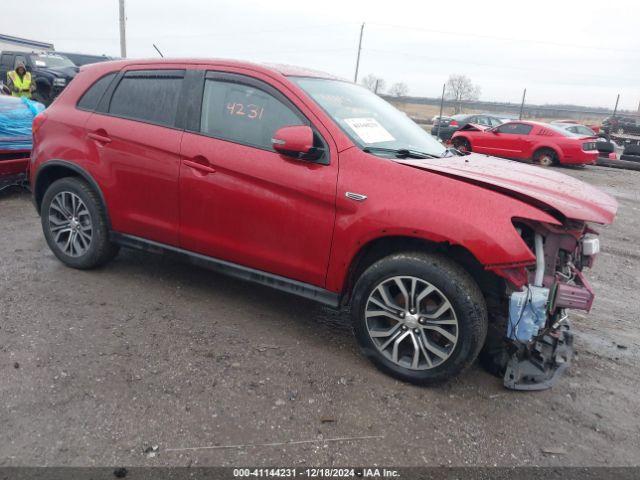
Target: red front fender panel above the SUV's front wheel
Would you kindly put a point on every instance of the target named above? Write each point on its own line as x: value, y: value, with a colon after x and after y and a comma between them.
x: 404, y: 203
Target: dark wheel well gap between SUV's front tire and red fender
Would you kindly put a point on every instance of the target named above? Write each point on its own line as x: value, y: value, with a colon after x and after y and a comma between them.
x: 380, y: 247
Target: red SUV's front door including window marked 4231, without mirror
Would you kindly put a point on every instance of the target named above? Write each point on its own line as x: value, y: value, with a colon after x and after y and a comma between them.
x: 241, y: 201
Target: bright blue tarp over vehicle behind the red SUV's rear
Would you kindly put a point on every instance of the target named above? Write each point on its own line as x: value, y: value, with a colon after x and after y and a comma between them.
x: 16, y: 117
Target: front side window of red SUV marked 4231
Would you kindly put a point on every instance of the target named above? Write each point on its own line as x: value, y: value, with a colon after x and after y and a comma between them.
x: 243, y: 114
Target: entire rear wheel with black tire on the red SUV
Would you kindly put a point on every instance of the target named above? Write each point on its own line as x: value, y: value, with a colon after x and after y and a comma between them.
x: 75, y: 225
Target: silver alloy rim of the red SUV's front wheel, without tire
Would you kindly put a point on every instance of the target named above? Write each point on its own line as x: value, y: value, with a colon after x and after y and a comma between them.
x: 411, y: 322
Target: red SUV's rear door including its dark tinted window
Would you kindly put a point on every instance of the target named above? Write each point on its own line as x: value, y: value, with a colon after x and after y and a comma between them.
x: 135, y: 141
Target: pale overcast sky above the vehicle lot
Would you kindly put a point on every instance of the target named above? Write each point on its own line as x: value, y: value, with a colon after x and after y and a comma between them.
x: 582, y: 52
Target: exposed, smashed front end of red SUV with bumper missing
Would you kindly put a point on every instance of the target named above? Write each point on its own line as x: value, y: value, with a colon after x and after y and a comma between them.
x: 538, y: 345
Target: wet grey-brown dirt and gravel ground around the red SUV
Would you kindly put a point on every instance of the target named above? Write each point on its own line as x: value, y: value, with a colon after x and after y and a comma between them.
x: 97, y: 366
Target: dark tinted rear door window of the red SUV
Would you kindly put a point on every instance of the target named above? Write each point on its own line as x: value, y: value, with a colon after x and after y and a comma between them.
x: 149, y: 96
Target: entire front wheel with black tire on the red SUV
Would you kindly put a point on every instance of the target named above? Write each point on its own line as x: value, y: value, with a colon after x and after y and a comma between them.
x: 419, y: 317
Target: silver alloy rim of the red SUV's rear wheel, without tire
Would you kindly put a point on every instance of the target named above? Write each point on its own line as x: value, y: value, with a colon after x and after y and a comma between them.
x: 70, y: 224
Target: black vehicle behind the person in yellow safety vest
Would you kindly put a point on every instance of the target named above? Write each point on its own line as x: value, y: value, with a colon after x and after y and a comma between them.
x: 50, y: 72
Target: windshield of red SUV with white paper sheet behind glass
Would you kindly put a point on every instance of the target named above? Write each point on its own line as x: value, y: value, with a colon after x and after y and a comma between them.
x: 367, y: 119
